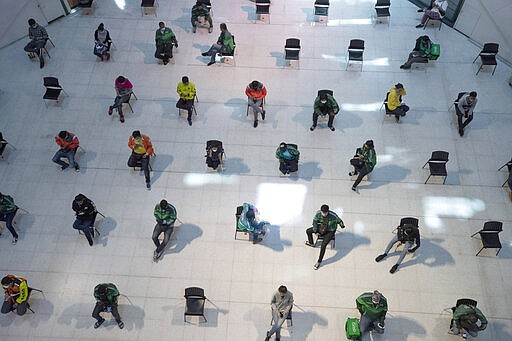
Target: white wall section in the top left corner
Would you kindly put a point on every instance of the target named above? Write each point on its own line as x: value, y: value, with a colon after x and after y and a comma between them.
x: 14, y: 15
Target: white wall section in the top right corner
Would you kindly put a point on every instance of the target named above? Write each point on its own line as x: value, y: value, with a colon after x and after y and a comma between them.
x: 488, y: 21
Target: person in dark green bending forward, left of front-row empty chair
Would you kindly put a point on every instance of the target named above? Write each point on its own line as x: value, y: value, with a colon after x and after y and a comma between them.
x: 106, y: 295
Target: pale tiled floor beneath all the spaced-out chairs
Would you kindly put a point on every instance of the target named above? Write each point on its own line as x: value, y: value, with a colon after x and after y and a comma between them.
x: 238, y: 277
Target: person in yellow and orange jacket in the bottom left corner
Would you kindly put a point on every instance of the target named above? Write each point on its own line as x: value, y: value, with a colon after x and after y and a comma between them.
x: 15, y: 294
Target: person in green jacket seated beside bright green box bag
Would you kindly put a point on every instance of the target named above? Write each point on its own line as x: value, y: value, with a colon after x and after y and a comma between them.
x: 373, y: 307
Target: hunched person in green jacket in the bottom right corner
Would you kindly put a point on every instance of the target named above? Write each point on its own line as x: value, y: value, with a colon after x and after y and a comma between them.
x: 465, y: 319
